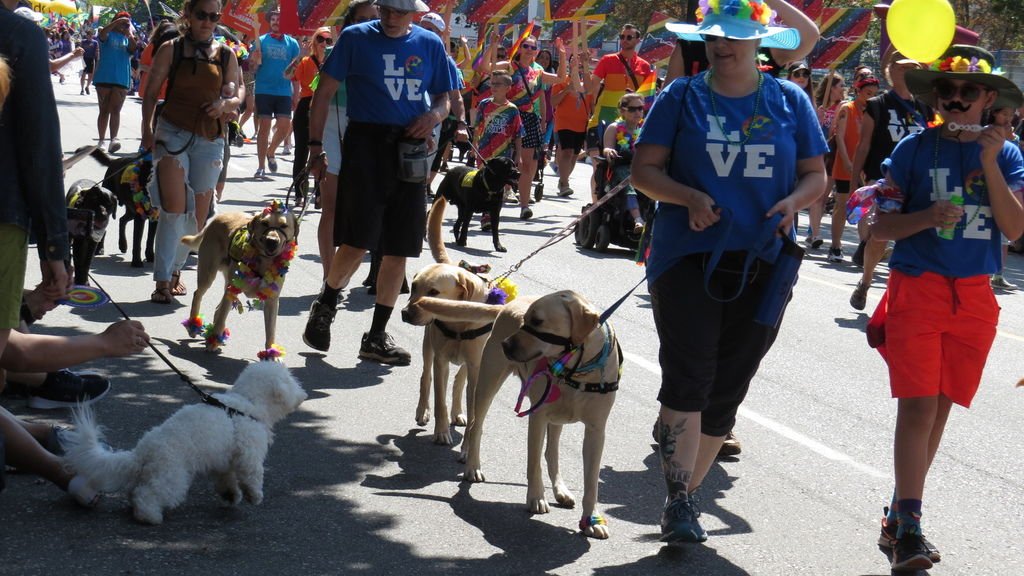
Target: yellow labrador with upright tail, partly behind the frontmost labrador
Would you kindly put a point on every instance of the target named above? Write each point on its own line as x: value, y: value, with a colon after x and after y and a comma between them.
x: 458, y: 342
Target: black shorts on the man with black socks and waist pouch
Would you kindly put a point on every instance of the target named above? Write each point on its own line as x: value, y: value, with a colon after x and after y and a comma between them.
x: 376, y: 211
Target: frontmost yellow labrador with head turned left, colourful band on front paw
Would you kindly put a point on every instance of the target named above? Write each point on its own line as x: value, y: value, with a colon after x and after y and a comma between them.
x: 572, y: 363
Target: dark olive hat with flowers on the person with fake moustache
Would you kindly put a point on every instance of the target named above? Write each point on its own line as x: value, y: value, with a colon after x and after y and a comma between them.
x: 965, y: 63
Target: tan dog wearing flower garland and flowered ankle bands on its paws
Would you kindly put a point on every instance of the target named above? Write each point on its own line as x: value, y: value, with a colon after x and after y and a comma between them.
x: 253, y: 254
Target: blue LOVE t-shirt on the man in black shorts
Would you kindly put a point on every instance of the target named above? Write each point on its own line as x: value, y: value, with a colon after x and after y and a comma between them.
x: 390, y: 79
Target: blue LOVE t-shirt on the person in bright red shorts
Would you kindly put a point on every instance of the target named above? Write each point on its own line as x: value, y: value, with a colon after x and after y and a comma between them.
x: 975, y: 246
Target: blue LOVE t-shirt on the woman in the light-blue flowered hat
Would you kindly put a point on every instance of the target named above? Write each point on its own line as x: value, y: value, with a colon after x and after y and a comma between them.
x: 747, y: 179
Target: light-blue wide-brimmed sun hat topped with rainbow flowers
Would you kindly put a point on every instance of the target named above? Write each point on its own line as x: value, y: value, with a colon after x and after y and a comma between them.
x: 738, y: 20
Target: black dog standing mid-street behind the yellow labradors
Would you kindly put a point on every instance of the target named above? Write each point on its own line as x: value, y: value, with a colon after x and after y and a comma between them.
x: 479, y: 192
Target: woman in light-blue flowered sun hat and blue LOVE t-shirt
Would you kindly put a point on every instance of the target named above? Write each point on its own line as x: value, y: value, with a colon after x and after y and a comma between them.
x: 734, y: 145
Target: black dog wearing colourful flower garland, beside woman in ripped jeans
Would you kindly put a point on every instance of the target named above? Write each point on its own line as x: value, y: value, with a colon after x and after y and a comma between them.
x: 121, y: 179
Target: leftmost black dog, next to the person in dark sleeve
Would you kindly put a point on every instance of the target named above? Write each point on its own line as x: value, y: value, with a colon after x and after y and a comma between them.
x: 98, y: 207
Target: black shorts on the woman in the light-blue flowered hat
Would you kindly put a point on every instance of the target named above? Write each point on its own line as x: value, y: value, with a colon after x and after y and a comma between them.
x: 710, y: 351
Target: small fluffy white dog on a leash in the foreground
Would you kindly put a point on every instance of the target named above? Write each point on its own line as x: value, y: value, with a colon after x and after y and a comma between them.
x: 198, y: 439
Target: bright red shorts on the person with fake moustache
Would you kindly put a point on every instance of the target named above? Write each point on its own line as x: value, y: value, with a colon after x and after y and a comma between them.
x: 938, y: 333
